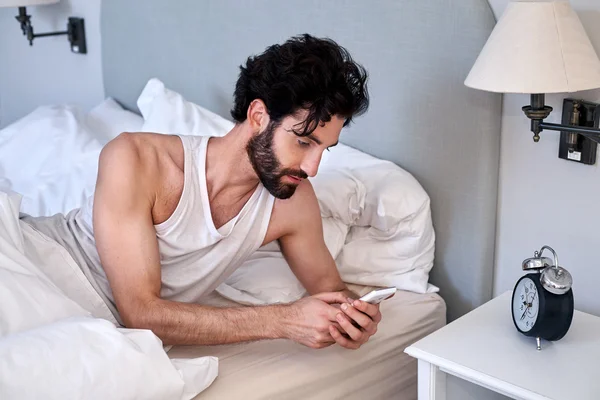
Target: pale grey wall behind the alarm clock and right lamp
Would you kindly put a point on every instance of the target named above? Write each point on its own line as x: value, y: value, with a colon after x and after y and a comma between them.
x: 544, y: 199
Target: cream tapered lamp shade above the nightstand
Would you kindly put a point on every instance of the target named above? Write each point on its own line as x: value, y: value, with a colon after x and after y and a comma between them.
x: 537, y: 47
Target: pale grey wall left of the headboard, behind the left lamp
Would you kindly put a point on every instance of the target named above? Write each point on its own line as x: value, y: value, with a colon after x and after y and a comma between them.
x: 47, y: 72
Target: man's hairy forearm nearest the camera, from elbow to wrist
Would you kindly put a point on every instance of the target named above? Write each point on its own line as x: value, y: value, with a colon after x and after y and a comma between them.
x: 192, y: 324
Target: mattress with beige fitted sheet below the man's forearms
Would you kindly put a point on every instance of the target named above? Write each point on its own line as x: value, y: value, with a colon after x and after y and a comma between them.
x: 282, y: 369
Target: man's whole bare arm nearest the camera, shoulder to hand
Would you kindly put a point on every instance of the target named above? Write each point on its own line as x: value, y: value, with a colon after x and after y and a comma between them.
x: 126, y: 193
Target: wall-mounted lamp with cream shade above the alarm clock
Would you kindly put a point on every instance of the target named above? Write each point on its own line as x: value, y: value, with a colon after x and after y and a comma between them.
x: 540, y: 47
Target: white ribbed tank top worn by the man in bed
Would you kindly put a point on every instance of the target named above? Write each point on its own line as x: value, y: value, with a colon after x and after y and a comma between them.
x: 196, y: 257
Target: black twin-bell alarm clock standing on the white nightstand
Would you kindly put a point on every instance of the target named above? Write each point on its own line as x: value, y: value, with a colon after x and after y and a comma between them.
x: 542, y: 302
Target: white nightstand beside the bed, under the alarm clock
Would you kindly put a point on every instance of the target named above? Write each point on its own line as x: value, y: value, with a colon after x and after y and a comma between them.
x: 484, y: 347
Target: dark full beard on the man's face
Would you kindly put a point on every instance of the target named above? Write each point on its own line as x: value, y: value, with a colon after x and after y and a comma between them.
x: 267, y: 166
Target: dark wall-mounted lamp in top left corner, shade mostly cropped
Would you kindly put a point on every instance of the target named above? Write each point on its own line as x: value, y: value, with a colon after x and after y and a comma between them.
x: 75, y: 26
